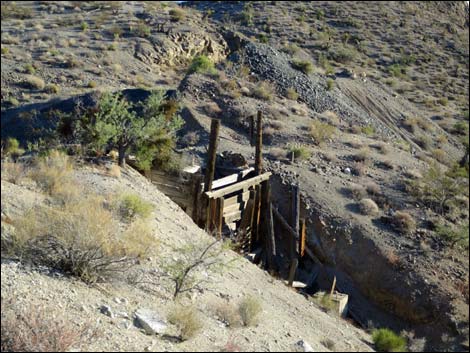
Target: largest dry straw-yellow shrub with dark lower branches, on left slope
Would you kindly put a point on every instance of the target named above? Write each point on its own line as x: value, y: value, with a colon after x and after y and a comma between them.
x: 79, y: 239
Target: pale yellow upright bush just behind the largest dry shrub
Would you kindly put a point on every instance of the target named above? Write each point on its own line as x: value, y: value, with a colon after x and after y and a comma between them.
x: 52, y: 171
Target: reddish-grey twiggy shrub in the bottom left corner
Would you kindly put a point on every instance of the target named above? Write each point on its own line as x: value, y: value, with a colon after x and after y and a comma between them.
x: 35, y: 328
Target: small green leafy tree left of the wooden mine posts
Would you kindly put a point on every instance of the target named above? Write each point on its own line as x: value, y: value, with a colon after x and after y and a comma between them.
x: 116, y: 122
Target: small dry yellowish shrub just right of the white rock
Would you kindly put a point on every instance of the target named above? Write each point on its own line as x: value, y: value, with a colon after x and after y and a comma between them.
x: 187, y: 320
